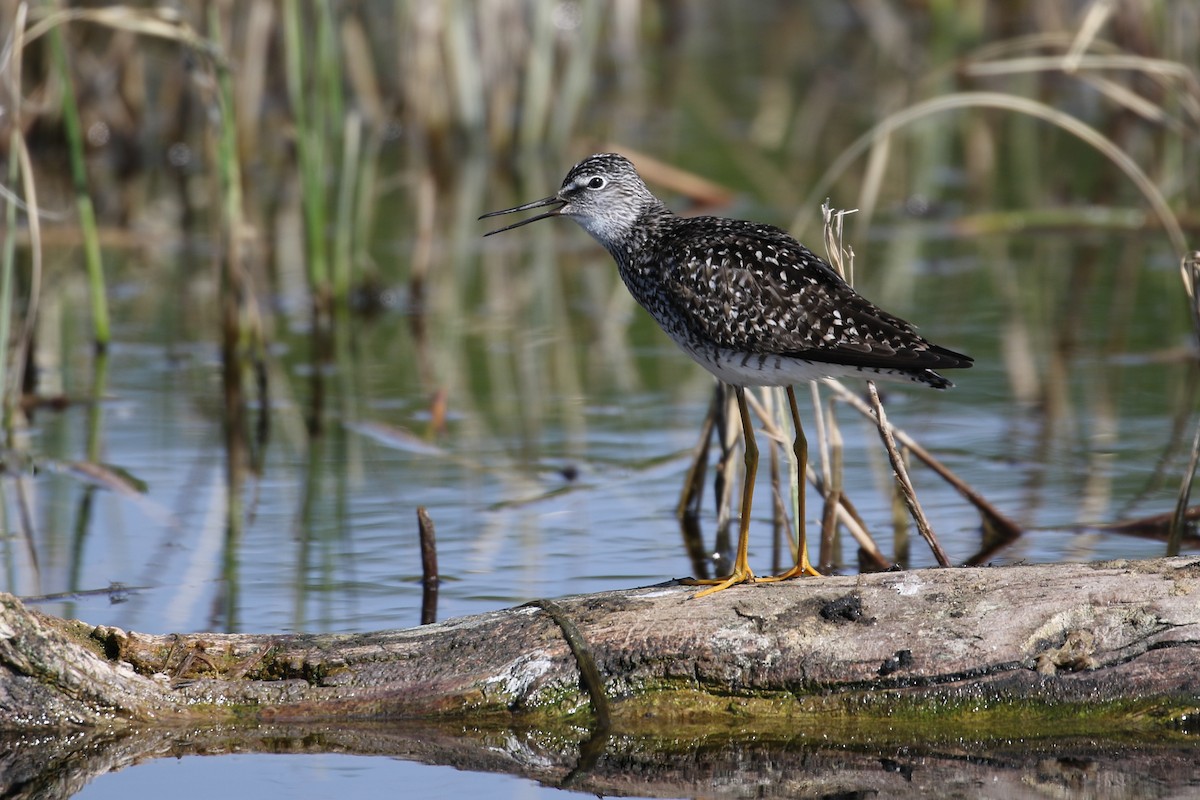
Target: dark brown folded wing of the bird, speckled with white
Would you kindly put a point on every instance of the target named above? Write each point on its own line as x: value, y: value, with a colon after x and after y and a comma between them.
x: 754, y: 288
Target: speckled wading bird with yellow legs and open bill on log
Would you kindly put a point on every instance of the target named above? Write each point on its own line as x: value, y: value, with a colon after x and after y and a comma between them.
x: 748, y: 303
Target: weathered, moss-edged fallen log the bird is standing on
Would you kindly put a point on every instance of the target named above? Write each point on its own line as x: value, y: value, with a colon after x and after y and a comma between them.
x: 767, y: 655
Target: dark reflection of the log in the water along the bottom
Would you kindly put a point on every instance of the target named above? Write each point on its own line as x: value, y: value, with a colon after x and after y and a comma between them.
x: 722, y: 765
